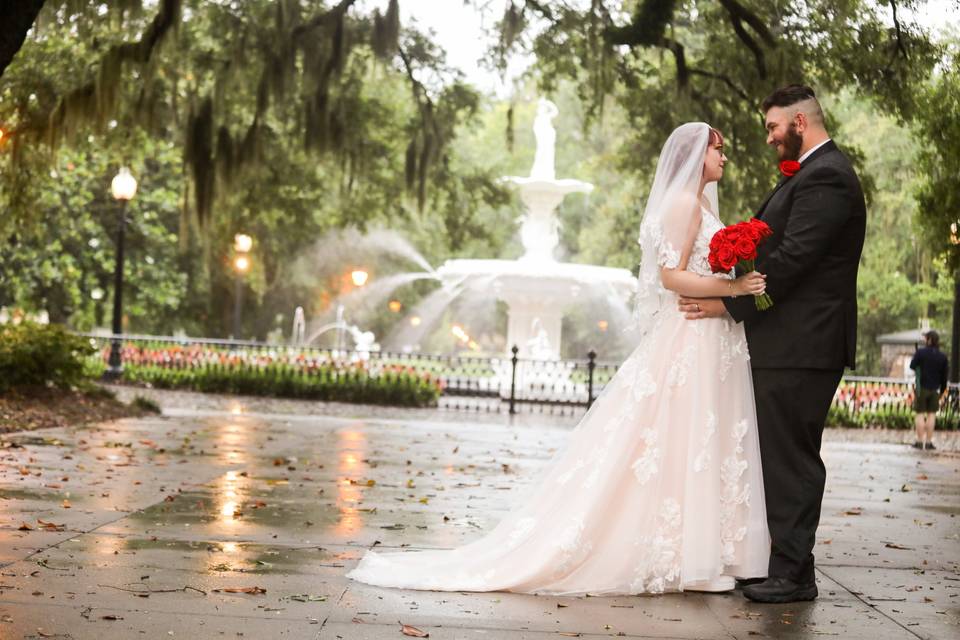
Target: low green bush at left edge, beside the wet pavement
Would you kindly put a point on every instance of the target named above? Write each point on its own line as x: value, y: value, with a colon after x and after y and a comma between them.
x: 35, y: 355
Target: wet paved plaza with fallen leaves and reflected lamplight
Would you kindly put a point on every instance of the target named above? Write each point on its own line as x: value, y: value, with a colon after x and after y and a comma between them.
x: 229, y: 518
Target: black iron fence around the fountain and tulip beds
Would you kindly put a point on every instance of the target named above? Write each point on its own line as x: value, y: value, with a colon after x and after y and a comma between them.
x: 507, y: 384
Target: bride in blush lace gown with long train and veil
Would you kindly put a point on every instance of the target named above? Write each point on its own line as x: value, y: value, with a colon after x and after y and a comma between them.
x: 659, y: 488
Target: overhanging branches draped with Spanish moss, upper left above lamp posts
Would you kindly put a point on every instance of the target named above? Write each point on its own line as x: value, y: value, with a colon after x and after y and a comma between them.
x: 227, y: 79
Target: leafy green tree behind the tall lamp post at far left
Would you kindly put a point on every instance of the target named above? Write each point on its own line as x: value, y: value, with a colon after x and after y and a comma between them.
x: 65, y: 266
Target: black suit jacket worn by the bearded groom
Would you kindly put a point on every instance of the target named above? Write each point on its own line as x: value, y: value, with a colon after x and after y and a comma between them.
x: 818, y: 218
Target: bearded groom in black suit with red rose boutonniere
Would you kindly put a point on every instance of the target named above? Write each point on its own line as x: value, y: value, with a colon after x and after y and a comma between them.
x: 800, y: 346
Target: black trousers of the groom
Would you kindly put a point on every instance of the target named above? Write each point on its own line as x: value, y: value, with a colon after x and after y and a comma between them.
x: 792, y: 405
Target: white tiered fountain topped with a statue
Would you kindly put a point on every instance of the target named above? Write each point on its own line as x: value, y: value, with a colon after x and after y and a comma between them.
x: 537, y: 288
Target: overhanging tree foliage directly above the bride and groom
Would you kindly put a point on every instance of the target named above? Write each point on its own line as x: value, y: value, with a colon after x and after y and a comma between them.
x: 716, y: 61
